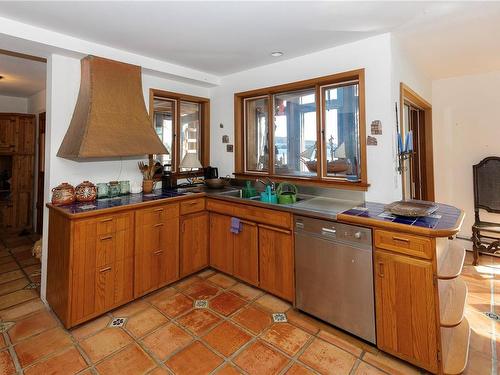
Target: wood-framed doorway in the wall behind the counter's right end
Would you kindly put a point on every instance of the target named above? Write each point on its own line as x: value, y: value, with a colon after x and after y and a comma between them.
x: 418, y: 172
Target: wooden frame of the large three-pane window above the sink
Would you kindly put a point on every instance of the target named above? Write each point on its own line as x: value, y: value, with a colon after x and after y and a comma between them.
x: 318, y: 84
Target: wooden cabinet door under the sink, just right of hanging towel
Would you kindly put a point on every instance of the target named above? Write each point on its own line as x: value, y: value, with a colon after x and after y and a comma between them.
x: 246, y: 253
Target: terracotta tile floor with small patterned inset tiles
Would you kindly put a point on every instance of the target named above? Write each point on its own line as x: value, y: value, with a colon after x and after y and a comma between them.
x: 166, y: 334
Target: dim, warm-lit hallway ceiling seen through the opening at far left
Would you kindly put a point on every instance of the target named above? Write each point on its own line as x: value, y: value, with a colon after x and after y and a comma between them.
x: 22, y: 77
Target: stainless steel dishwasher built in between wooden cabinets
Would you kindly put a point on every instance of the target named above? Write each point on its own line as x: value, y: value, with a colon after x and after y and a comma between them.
x: 334, y: 274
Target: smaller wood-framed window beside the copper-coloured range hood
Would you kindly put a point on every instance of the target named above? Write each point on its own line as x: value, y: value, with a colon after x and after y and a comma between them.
x: 182, y: 123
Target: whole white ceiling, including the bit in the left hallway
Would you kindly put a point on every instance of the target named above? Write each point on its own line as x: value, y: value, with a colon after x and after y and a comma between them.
x: 443, y: 38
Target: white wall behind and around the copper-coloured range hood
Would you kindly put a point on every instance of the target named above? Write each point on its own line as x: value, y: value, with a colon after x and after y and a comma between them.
x: 63, y: 83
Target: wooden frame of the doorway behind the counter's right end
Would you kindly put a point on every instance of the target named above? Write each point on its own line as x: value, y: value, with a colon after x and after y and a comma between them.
x: 407, y: 95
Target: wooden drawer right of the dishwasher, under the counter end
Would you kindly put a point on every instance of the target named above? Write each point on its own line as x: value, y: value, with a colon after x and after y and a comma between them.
x: 404, y: 243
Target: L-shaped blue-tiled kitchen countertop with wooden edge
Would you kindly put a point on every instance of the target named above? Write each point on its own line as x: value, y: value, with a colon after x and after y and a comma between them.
x: 446, y: 221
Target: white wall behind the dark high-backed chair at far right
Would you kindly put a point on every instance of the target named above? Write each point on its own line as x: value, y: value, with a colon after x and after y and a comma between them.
x: 466, y: 129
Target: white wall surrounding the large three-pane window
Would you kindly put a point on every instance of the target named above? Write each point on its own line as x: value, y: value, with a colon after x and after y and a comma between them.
x: 373, y: 54
